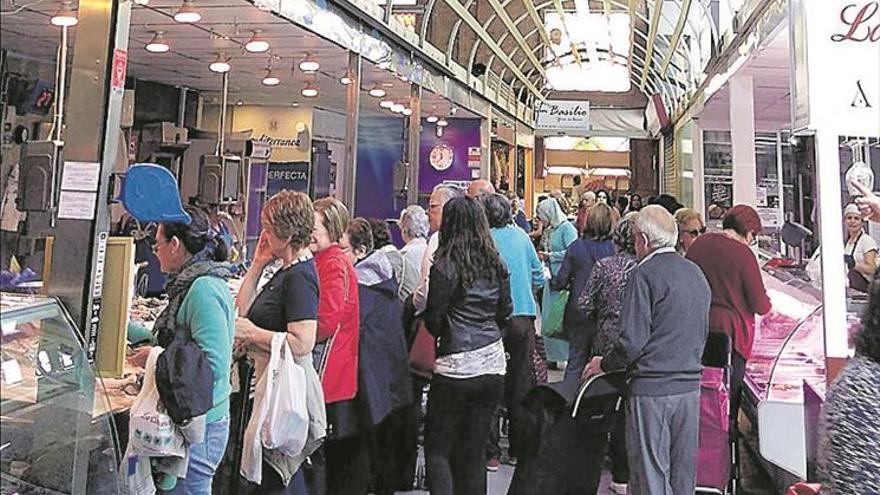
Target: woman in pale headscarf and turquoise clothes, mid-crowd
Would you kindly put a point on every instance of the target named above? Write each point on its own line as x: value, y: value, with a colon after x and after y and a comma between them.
x: 559, y: 234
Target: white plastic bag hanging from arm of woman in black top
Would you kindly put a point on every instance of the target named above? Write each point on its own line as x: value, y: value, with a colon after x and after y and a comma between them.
x: 287, y: 419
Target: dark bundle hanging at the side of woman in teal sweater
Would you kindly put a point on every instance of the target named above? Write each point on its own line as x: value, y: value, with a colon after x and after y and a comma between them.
x: 184, y: 378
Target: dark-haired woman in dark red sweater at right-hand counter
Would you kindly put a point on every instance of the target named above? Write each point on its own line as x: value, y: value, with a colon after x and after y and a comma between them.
x: 738, y: 292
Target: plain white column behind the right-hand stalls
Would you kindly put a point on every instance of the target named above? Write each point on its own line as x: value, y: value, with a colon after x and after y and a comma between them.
x: 742, y: 137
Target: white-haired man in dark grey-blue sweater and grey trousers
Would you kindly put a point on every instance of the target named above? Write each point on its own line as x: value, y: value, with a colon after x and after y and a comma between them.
x: 665, y: 317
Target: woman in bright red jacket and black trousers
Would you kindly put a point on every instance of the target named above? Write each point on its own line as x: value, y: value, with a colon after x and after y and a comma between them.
x: 336, y: 351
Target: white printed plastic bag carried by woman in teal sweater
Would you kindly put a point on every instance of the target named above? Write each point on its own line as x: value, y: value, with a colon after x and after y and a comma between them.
x: 151, y: 431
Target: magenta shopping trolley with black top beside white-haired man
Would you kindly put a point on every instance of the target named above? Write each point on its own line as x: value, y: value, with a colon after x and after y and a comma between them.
x: 717, y: 453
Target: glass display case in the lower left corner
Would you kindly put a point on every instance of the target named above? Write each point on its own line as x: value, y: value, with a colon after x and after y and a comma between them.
x: 55, y: 436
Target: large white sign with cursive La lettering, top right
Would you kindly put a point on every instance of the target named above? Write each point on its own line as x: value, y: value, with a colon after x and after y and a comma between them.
x: 837, y: 66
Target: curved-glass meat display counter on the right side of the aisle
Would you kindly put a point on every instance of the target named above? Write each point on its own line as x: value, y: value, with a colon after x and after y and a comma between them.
x: 788, y: 358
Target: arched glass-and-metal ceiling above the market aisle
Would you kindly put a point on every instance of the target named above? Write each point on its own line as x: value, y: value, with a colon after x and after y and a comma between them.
x: 669, y: 40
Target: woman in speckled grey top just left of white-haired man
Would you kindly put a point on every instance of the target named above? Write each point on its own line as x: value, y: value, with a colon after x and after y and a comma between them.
x: 603, y: 300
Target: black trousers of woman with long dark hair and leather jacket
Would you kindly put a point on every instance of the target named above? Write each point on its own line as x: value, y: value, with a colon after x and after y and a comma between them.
x: 456, y: 429
